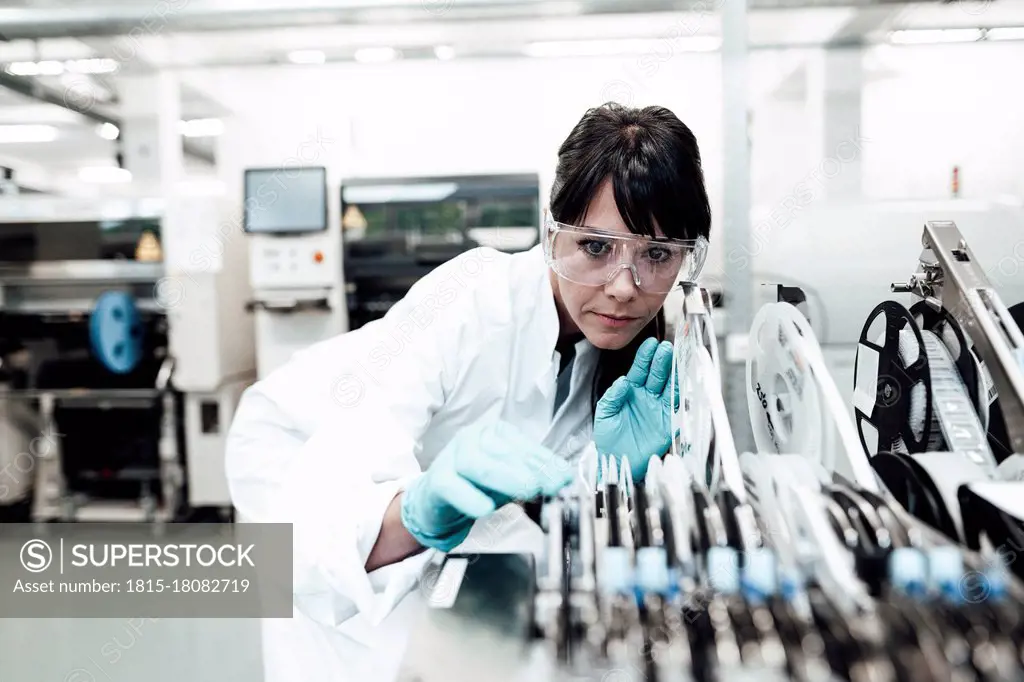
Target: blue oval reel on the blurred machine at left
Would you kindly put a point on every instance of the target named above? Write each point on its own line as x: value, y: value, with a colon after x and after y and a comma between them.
x: 116, y: 332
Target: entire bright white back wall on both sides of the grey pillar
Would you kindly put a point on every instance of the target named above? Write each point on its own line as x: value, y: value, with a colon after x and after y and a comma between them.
x: 925, y: 110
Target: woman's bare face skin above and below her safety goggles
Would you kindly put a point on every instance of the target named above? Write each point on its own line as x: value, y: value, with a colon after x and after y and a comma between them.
x: 613, y: 315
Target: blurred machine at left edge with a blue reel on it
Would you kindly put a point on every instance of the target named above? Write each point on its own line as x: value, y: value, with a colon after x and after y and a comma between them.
x: 123, y: 354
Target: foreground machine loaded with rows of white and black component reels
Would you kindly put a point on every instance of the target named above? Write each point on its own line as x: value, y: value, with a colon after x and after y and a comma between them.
x: 804, y: 561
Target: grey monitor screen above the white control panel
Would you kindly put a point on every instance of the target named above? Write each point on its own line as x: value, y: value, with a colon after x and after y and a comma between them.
x: 286, y: 200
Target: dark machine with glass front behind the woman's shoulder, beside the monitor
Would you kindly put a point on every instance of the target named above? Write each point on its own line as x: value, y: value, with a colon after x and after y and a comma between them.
x: 399, y: 230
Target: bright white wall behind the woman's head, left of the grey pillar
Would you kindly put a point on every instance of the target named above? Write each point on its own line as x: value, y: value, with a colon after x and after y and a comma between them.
x: 473, y: 117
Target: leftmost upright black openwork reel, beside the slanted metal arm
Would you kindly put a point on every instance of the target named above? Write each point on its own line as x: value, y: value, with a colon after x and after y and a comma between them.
x: 891, y: 412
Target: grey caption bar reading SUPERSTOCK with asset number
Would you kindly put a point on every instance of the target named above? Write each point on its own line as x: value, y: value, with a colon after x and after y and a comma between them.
x: 100, y: 571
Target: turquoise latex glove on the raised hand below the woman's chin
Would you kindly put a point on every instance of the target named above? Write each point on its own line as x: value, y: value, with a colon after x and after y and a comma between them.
x: 633, y: 419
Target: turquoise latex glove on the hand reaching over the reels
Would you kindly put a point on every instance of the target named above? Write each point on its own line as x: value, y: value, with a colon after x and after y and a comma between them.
x: 483, y: 468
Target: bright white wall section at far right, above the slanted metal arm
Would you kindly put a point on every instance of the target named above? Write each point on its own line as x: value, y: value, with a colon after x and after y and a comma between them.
x: 945, y: 107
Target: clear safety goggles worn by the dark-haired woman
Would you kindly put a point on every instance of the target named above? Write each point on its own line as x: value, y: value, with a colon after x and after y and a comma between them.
x: 594, y: 258
